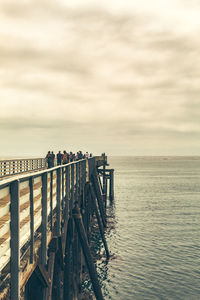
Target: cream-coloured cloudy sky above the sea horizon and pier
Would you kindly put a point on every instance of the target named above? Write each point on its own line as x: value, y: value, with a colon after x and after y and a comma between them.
x: 120, y: 77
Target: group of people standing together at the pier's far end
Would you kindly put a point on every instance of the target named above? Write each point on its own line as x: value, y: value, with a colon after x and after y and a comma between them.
x: 65, y: 157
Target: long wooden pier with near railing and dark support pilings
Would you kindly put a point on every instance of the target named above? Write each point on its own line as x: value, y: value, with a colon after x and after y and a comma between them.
x: 45, y: 224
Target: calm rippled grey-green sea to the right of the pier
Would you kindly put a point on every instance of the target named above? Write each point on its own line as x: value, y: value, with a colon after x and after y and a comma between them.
x: 154, y: 233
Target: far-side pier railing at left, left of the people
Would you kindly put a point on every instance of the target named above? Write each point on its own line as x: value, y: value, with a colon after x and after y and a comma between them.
x: 17, y: 166
